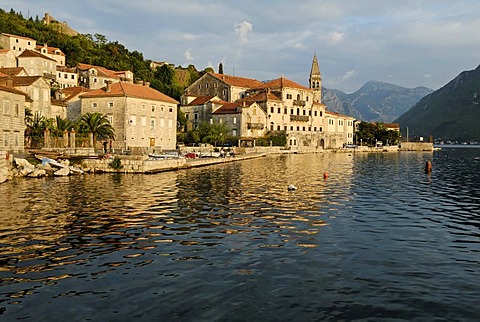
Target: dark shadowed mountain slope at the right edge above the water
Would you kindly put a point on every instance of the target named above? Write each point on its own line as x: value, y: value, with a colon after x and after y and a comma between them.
x: 450, y: 113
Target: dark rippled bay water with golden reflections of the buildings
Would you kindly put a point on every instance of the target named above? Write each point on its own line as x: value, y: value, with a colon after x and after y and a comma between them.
x: 378, y: 240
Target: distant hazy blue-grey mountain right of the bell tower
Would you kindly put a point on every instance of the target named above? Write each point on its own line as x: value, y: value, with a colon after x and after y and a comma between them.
x: 374, y: 101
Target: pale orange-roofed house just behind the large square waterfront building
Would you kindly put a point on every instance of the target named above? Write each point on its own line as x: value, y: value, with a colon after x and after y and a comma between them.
x: 95, y: 77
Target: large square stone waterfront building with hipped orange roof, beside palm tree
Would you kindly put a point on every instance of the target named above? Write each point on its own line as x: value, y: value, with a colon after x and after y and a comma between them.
x: 143, y: 118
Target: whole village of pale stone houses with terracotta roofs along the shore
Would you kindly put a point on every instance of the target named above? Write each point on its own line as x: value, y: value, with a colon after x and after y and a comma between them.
x: 143, y: 118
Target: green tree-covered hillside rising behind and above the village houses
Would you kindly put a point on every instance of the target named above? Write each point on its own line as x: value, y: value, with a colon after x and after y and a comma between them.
x: 98, y: 50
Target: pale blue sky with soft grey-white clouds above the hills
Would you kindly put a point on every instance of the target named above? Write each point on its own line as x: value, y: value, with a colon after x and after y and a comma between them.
x: 407, y: 43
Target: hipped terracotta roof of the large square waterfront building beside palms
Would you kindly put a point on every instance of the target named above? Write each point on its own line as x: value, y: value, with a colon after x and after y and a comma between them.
x: 130, y: 90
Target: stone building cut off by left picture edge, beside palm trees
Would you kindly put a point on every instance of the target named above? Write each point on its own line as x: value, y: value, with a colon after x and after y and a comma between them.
x: 12, y: 120
